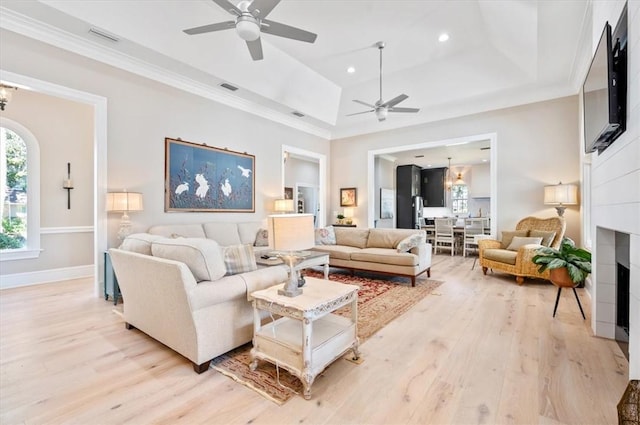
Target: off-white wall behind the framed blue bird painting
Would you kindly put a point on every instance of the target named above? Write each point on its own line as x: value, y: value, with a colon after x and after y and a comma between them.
x: 141, y: 113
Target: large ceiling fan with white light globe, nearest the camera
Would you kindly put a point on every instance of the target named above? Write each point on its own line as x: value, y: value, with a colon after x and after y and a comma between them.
x: 250, y: 22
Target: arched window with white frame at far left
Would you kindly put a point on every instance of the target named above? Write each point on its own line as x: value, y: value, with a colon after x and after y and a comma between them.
x: 20, y: 185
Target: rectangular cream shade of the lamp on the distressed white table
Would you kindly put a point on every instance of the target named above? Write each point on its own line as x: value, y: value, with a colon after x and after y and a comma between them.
x: 291, y: 232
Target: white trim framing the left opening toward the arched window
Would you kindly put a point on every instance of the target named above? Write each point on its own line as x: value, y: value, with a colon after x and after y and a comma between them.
x: 99, y: 104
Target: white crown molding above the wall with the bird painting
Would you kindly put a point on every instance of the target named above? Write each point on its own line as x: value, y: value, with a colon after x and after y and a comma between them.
x: 41, y: 31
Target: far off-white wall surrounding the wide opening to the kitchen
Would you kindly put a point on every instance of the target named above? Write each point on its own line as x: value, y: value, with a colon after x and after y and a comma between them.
x: 537, y: 145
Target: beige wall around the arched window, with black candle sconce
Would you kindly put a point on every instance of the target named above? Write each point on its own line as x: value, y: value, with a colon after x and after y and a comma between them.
x: 64, y: 130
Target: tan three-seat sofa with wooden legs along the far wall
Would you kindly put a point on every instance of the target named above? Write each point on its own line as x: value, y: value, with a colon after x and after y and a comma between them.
x: 377, y: 250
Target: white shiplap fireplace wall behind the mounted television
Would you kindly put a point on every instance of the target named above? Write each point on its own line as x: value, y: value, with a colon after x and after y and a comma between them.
x: 615, y: 190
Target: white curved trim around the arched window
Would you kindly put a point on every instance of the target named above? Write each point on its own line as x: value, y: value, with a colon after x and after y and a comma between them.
x: 32, y: 250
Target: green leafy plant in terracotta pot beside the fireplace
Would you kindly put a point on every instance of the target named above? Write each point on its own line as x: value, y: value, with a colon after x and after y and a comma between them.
x: 568, y: 266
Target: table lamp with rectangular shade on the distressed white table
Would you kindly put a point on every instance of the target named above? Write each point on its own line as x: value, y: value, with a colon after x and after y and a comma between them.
x: 291, y: 233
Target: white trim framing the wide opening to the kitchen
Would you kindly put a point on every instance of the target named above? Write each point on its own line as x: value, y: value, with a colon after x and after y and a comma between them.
x: 493, y: 142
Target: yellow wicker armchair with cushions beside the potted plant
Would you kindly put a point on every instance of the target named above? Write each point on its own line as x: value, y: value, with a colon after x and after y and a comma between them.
x: 514, y: 252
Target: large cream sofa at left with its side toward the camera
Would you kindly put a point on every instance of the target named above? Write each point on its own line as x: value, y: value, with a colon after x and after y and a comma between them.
x: 190, y: 306
